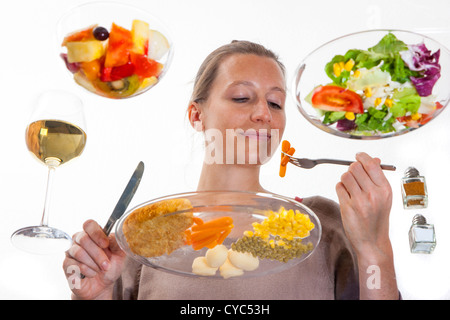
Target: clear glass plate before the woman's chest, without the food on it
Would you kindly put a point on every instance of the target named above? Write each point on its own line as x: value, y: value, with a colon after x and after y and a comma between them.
x: 244, y: 208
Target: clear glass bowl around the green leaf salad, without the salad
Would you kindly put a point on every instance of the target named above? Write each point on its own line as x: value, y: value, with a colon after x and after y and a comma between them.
x: 310, y: 73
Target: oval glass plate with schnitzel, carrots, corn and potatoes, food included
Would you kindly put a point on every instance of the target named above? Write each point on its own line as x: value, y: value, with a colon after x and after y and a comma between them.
x: 220, y: 234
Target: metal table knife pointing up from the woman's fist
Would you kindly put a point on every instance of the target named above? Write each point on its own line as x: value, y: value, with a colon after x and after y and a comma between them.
x: 125, y: 199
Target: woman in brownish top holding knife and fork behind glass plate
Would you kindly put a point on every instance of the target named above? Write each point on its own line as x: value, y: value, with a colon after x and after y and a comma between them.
x: 240, y: 90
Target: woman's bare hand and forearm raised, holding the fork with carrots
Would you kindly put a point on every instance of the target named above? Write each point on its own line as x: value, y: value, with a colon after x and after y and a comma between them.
x: 365, y: 196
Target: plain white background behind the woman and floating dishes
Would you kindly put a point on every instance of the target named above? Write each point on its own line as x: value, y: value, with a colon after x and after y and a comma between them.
x: 153, y: 127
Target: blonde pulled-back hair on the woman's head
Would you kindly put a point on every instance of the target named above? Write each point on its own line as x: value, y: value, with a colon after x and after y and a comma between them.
x: 208, y: 70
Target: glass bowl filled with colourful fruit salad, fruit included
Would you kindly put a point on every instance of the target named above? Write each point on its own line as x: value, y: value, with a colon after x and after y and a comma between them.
x: 114, y: 50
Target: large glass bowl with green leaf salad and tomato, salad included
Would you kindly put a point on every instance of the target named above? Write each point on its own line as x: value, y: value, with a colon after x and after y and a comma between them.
x: 373, y: 84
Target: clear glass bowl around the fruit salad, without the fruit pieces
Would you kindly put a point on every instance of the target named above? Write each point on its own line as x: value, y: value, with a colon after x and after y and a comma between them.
x: 104, y: 14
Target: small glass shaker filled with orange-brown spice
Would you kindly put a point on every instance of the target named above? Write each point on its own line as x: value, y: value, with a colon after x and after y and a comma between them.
x: 414, y: 190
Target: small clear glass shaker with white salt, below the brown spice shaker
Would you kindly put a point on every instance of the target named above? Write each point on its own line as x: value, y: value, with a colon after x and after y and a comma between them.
x: 422, y: 238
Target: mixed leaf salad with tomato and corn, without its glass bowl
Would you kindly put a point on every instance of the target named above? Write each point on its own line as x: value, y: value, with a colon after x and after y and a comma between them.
x: 386, y: 88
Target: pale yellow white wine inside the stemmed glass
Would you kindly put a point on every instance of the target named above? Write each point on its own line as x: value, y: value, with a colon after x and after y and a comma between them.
x: 55, y: 139
